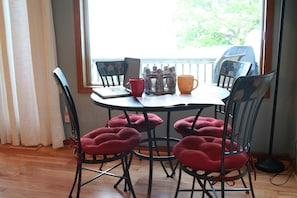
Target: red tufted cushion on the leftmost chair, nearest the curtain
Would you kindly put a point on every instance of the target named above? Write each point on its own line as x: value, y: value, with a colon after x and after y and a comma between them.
x: 110, y: 141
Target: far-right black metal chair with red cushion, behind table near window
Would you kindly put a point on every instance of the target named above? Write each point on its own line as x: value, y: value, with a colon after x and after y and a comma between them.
x: 213, y: 126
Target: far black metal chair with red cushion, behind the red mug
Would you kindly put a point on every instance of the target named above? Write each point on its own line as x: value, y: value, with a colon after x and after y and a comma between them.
x: 113, y: 73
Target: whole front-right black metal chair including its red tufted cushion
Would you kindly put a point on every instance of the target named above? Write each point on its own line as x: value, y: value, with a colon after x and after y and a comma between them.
x: 212, y: 160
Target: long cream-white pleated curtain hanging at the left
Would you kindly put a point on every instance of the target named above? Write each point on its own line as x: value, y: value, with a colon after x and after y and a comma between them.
x: 29, y: 100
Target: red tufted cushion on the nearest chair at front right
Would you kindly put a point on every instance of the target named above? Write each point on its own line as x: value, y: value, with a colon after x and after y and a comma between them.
x: 204, y: 153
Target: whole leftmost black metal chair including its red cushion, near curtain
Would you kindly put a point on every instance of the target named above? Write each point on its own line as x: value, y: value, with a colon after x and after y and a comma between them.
x: 99, y: 146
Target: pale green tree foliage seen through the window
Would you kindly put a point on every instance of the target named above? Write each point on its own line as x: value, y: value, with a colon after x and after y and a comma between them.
x: 205, y: 23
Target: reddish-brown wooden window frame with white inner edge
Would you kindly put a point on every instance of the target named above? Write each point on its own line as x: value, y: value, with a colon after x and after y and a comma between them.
x: 82, y: 45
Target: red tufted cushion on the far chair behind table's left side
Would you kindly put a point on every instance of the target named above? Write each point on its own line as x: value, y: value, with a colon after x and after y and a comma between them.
x: 137, y: 121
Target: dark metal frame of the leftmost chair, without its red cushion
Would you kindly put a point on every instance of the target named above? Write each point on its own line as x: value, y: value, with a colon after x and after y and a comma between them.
x: 124, y: 158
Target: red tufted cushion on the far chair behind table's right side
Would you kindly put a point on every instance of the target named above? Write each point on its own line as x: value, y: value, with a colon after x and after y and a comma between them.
x: 204, y: 126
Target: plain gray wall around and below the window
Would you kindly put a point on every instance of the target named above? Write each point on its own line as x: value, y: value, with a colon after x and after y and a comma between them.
x: 285, y: 127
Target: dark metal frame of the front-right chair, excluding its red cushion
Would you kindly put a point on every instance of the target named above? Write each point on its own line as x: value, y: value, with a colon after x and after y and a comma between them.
x: 241, y: 112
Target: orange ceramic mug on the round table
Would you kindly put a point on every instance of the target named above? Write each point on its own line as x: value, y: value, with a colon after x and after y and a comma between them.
x: 186, y: 83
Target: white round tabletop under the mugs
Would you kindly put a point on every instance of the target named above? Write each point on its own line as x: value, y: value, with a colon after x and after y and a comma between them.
x: 203, y: 96
